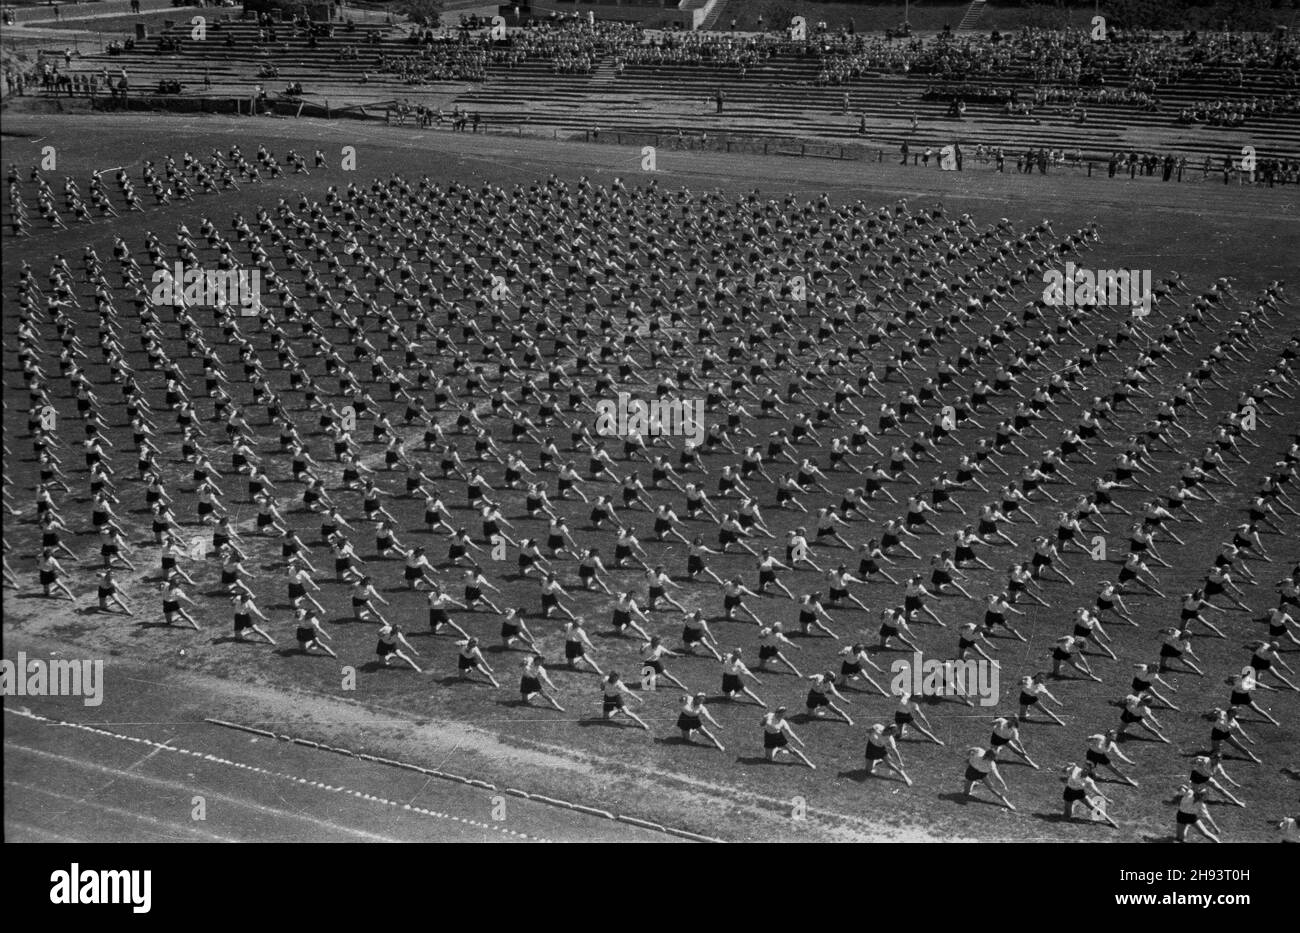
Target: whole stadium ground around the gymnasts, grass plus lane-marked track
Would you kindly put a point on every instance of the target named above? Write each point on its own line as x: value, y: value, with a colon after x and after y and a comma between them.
x: 164, y: 683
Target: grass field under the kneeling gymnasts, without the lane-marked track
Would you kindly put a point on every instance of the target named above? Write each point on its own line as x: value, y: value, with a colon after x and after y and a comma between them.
x: 1203, y: 231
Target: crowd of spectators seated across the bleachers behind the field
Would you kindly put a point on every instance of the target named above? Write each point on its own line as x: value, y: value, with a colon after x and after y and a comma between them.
x: 1021, y: 73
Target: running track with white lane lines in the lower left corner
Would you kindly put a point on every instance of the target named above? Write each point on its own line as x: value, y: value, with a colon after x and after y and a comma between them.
x: 67, y: 784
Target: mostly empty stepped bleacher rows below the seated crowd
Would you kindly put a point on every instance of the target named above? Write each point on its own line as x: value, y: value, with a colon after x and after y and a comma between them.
x: 779, y: 96
